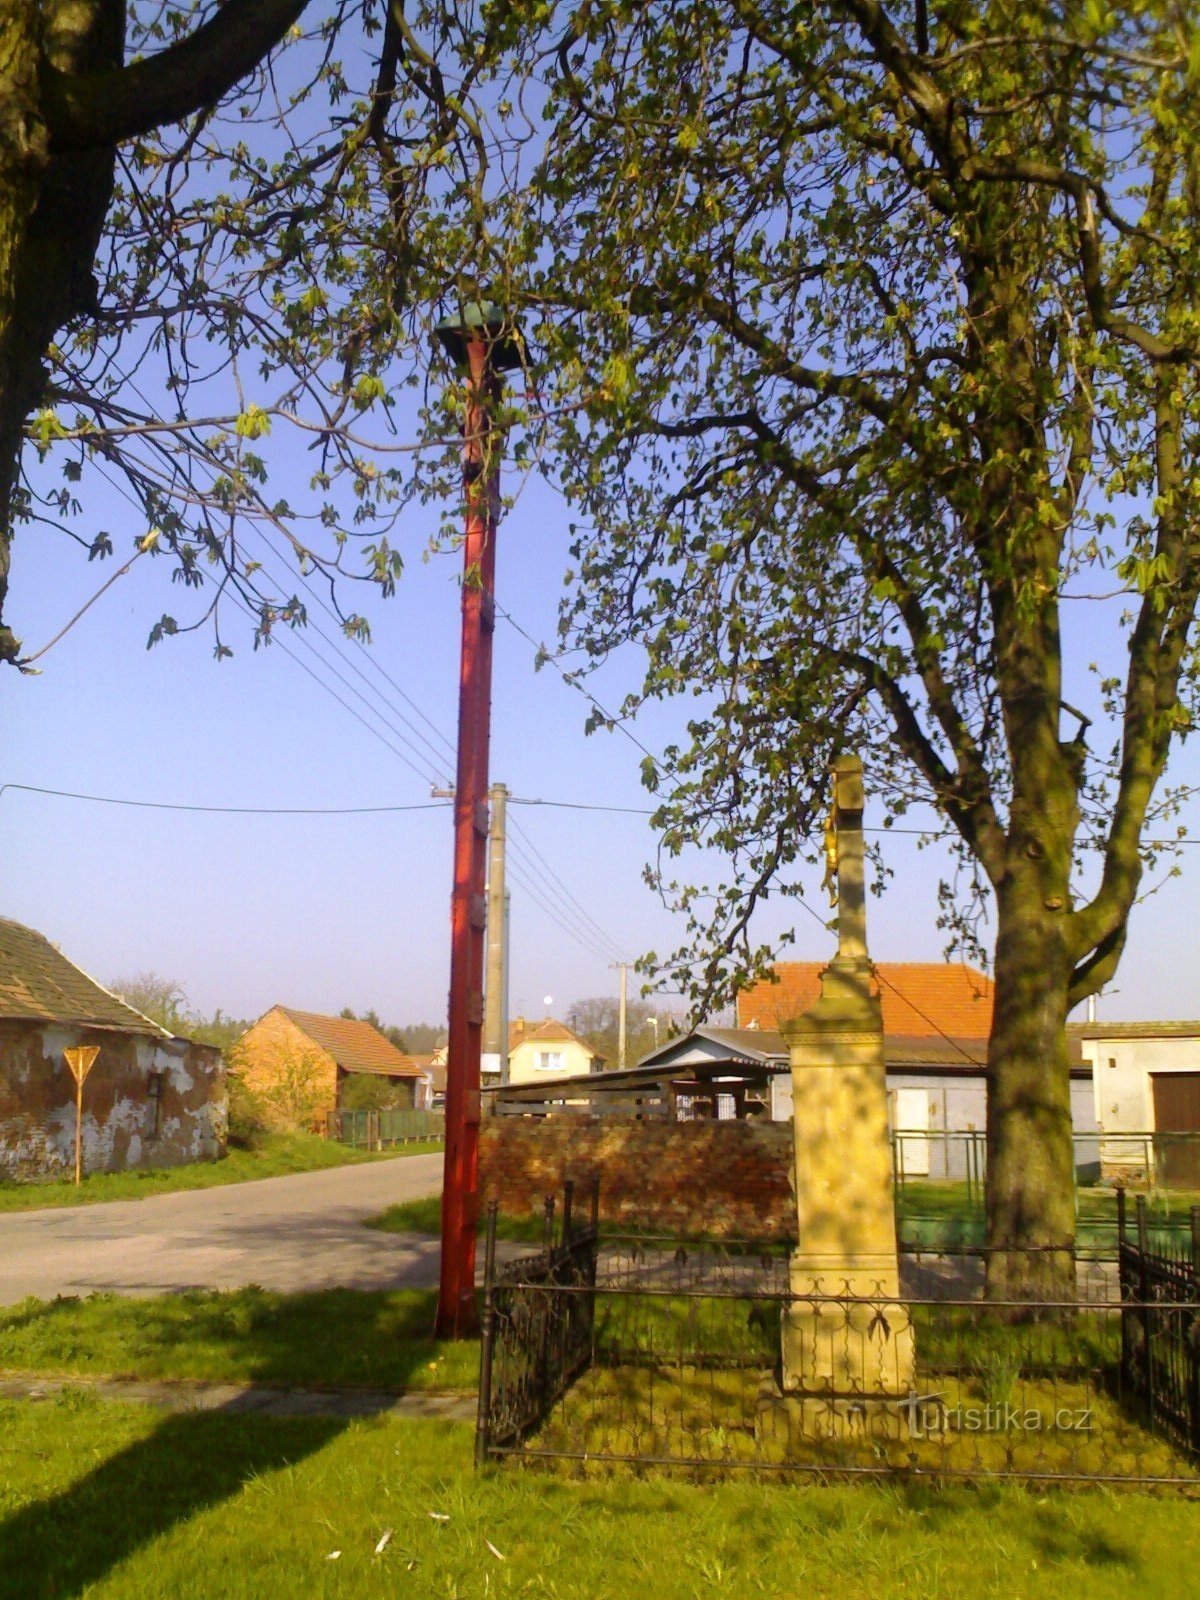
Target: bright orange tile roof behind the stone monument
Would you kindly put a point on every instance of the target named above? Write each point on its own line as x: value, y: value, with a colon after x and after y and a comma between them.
x: 921, y: 999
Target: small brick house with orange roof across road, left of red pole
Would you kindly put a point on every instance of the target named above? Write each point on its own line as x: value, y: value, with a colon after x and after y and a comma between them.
x: 298, y: 1062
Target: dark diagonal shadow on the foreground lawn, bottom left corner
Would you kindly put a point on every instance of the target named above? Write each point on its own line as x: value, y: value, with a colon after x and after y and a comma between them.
x: 70, y: 1542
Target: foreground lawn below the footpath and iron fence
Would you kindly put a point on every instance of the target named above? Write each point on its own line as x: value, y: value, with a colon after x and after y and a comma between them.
x: 122, y: 1505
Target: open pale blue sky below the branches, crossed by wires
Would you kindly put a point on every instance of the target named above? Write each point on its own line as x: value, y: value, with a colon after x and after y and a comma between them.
x: 322, y: 913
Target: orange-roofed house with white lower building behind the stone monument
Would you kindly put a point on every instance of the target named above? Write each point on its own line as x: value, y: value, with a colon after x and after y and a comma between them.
x: 937, y: 1022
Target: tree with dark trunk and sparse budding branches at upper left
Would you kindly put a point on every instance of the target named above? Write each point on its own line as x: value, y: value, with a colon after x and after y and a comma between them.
x: 212, y: 246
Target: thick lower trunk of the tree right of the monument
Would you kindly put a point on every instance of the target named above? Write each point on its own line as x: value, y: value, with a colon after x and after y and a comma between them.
x: 1031, y: 1161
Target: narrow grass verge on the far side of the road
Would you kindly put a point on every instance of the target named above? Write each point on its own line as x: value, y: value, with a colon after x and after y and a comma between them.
x: 270, y: 1156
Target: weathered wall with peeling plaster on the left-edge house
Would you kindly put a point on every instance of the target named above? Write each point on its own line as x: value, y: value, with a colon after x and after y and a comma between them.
x: 126, y: 1121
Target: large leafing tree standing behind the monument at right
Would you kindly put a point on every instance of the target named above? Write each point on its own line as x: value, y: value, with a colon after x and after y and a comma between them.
x: 881, y: 332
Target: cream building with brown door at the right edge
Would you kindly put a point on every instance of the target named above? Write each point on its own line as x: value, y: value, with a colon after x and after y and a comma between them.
x: 1146, y: 1079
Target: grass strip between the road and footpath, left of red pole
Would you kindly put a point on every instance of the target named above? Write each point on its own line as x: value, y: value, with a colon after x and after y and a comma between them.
x: 342, y: 1338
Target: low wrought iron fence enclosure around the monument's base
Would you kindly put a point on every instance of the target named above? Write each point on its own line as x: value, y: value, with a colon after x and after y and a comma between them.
x: 649, y: 1351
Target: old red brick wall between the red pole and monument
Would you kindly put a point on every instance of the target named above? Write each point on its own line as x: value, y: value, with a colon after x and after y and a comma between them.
x: 727, y: 1180
